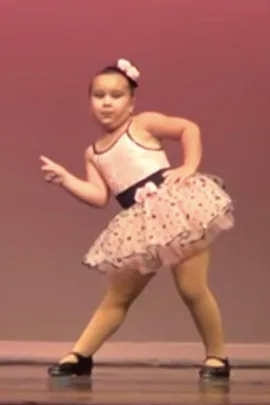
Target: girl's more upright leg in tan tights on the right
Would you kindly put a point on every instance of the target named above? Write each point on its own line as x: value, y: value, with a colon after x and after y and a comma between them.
x: 191, y: 282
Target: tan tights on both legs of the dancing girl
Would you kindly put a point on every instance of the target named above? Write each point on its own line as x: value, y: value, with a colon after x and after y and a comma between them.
x: 191, y: 282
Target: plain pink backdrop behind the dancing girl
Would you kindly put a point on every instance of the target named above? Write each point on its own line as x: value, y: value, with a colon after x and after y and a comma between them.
x: 204, y: 60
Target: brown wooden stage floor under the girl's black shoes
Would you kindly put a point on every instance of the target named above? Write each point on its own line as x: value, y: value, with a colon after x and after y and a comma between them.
x: 29, y: 385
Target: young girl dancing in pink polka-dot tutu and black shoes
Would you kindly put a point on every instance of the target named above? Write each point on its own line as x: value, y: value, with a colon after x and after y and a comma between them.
x: 169, y: 216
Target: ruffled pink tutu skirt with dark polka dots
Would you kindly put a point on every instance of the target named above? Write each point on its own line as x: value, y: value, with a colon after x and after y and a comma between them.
x: 164, y: 228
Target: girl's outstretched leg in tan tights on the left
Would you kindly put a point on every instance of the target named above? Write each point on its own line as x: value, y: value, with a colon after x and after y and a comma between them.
x: 123, y: 289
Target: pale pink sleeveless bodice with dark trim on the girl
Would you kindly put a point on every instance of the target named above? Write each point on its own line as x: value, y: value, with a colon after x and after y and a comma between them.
x: 127, y: 162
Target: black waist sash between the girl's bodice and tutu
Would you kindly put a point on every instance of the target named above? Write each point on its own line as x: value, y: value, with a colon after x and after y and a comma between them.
x: 127, y: 198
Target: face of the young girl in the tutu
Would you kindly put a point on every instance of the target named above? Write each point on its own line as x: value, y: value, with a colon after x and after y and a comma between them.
x: 112, y: 101
